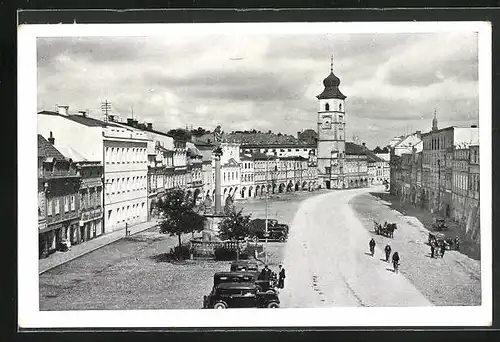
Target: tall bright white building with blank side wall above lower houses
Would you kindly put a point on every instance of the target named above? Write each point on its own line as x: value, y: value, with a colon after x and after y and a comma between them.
x: 123, y: 153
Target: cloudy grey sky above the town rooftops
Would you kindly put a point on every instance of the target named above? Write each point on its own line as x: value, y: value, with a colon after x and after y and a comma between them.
x: 393, y: 82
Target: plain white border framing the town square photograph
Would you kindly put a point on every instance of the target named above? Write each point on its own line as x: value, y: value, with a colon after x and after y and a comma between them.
x: 28, y: 278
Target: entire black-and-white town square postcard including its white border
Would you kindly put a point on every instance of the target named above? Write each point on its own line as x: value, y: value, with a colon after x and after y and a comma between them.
x: 245, y: 166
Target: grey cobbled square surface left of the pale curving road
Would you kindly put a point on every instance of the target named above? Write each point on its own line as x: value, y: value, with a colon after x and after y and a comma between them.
x: 128, y: 274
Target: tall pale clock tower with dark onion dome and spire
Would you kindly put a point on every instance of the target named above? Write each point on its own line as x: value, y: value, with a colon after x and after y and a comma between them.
x: 331, y: 129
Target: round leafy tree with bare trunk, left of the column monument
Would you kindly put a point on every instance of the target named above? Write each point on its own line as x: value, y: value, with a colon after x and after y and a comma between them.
x: 179, y: 215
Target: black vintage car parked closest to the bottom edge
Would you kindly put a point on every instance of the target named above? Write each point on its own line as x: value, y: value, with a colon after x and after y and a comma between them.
x: 239, y: 295
